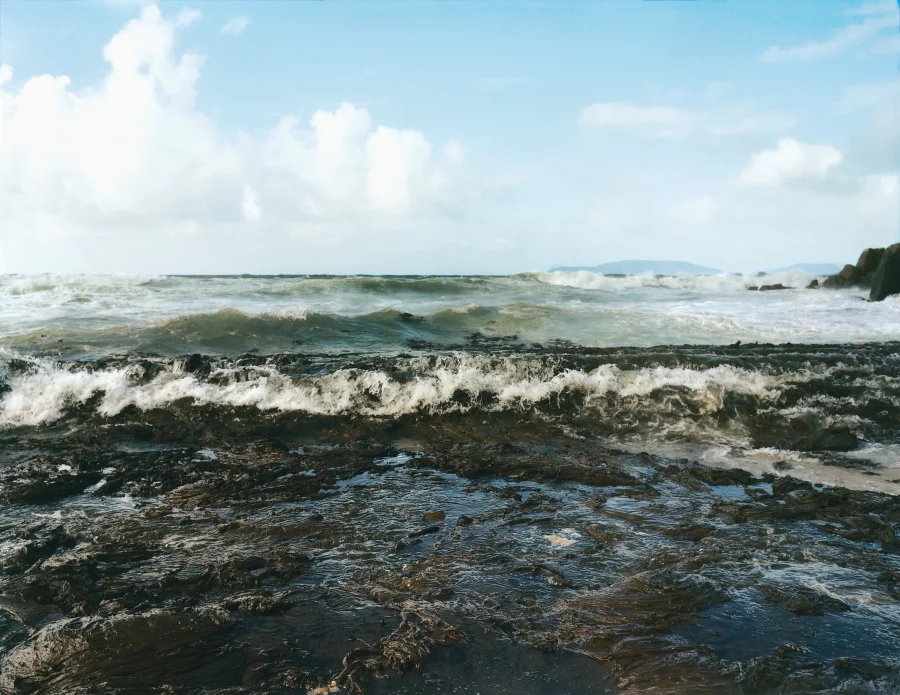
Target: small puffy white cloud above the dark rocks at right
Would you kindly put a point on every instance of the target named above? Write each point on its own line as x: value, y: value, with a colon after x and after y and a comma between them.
x: 789, y: 161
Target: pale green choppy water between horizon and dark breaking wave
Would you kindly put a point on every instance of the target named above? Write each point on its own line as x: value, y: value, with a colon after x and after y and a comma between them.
x: 227, y: 315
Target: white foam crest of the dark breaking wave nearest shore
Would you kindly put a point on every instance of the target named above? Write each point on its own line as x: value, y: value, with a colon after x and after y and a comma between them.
x: 42, y: 395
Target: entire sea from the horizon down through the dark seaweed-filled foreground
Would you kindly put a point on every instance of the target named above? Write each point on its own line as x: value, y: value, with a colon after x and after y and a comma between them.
x: 394, y: 484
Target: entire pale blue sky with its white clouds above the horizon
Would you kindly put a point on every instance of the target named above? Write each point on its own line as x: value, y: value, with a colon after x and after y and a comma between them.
x: 452, y: 136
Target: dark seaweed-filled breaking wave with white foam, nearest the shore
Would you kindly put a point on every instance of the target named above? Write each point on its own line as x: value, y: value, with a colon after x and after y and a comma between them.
x: 751, y: 405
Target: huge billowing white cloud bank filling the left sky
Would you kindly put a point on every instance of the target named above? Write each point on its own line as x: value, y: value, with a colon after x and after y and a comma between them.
x: 133, y: 158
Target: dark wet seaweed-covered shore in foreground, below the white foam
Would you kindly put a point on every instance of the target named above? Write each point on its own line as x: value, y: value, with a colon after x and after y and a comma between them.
x: 221, y: 550
